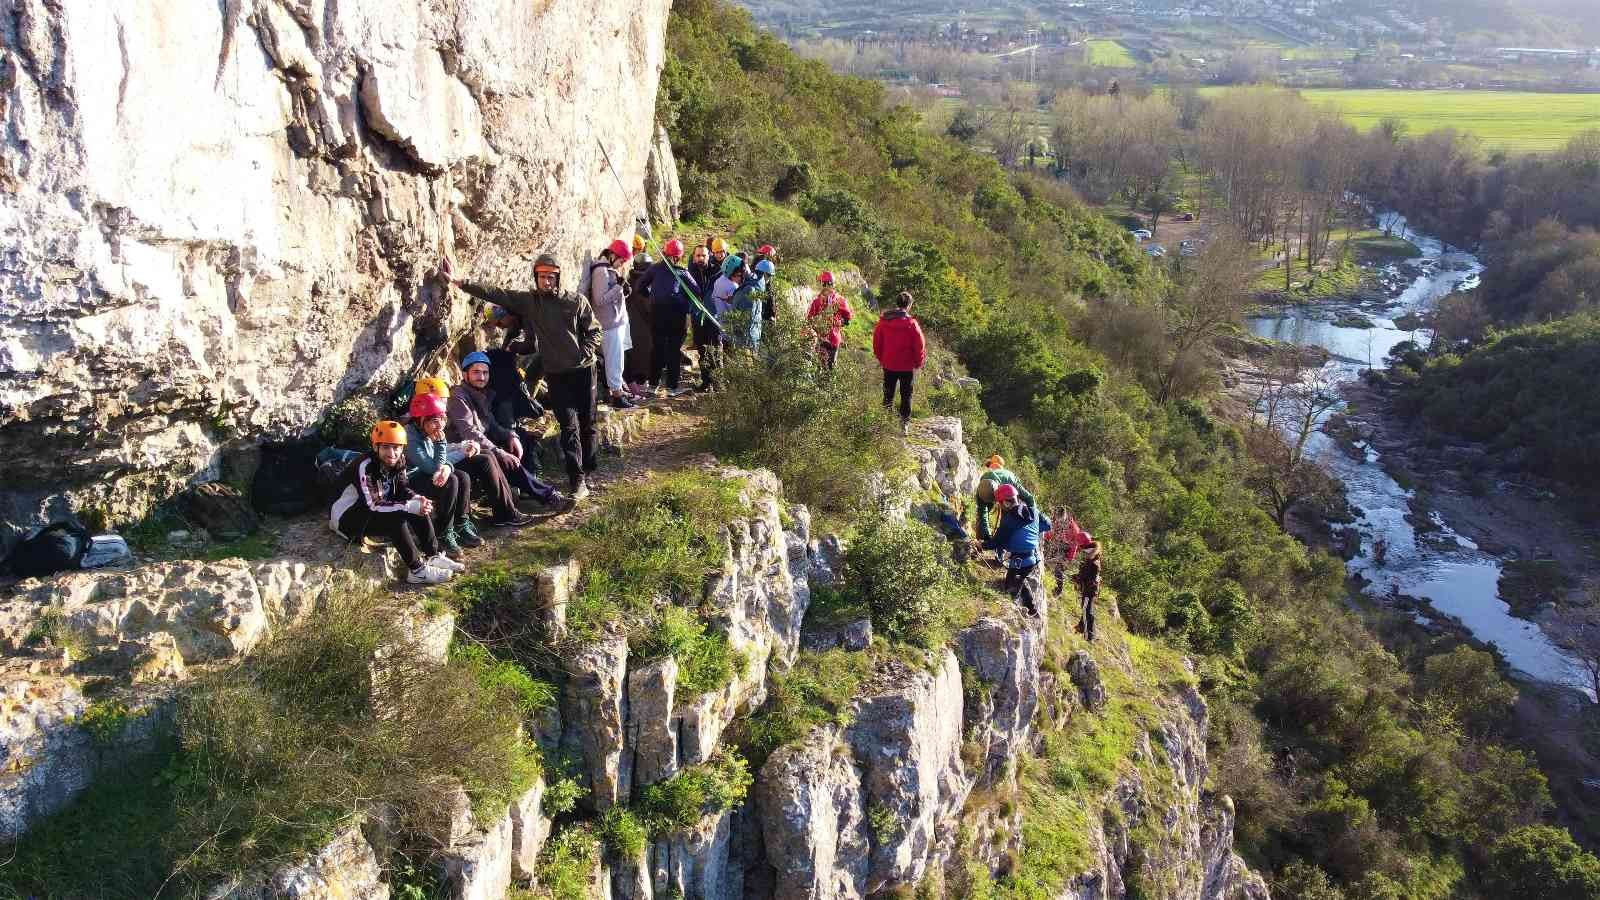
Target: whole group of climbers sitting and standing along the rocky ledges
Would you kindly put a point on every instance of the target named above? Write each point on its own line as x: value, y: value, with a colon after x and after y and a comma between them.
x: 415, y: 488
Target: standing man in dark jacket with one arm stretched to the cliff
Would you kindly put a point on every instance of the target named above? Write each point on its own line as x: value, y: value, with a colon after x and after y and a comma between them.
x: 569, y: 340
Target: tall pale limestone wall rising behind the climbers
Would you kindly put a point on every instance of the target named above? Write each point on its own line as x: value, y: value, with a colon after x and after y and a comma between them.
x: 220, y: 217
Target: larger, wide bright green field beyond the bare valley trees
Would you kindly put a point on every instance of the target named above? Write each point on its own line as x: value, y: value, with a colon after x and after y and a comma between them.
x: 1511, y: 121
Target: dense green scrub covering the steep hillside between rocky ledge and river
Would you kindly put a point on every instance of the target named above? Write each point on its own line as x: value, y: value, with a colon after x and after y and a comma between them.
x: 1358, y: 771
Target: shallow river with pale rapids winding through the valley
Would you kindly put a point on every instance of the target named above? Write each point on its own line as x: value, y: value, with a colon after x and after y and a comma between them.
x: 1446, y: 569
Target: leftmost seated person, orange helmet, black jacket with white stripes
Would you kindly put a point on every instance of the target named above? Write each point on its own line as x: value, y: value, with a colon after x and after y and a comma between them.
x: 375, y: 500
